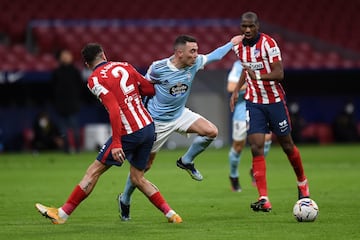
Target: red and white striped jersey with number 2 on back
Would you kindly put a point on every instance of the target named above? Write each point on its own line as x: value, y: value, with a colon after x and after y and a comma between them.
x: 119, y: 87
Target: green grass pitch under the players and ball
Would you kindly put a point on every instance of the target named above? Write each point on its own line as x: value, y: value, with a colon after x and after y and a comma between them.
x: 209, y: 209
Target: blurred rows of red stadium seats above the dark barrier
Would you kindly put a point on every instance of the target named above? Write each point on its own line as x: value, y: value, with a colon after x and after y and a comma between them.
x: 311, y: 34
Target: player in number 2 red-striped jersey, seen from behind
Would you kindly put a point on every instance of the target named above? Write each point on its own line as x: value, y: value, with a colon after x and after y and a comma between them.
x: 119, y: 87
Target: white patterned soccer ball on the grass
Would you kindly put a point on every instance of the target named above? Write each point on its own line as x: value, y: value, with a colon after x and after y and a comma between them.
x: 305, y: 210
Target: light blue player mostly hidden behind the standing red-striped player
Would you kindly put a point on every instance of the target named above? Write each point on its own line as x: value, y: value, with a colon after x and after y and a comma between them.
x: 239, y: 129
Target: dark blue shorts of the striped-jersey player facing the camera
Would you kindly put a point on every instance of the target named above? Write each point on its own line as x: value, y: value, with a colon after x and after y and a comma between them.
x: 263, y: 118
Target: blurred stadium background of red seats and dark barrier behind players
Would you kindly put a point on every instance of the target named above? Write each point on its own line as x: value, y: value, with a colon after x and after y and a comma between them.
x: 320, y: 44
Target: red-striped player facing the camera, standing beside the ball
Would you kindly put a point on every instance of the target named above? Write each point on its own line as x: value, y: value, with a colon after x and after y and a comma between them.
x: 266, y: 108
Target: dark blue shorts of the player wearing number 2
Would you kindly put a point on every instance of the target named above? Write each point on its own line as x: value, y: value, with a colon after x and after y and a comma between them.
x: 136, y: 146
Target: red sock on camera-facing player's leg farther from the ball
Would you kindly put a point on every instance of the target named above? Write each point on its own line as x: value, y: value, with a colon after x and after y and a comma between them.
x: 259, y: 172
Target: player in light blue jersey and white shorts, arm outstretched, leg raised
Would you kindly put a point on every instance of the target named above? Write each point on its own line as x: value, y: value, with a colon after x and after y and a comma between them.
x: 173, y: 78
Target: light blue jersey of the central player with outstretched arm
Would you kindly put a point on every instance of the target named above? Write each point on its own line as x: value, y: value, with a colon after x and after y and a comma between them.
x: 173, y: 85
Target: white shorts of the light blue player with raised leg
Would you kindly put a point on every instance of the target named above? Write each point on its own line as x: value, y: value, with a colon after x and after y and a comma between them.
x: 163, y: 130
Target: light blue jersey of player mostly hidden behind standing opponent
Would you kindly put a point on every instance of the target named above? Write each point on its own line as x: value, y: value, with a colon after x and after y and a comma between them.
x: 240, y: 107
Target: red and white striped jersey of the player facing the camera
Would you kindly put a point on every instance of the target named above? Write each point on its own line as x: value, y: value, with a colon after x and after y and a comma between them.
x: 258, y: 57
